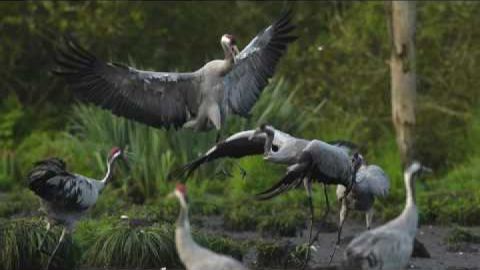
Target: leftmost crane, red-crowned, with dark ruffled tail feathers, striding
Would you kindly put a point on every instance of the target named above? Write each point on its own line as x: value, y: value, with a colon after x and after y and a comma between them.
x: 66, y: 196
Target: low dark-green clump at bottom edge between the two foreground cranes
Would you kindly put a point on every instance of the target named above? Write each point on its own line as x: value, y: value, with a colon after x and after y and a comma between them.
x: 271, y: 254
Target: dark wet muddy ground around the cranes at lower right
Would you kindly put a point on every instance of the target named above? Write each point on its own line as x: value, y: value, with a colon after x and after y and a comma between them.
x: 443, y: 256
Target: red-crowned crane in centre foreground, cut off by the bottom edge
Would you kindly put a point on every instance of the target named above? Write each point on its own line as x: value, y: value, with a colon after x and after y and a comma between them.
x: 192, y: 255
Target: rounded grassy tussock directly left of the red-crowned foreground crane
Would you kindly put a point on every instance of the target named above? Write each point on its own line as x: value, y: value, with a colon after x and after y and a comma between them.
x: 126, y: 246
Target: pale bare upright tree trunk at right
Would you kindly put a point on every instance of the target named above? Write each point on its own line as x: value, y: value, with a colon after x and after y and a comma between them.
x: 402, y: 22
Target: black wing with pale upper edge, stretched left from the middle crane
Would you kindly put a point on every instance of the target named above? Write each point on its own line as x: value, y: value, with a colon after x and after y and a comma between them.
x: 236, y: 146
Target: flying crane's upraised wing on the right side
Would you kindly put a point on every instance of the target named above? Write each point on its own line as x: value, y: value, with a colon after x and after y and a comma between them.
x: 255, y: 64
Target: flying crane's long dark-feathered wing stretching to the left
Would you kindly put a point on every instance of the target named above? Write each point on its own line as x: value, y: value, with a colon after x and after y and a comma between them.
x: 153, y: 98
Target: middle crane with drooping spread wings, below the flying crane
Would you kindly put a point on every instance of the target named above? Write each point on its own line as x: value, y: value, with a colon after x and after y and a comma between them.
x: 308, y: 160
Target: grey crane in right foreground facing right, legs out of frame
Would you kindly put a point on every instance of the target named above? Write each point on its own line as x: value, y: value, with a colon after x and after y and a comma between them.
x: 389, y: 246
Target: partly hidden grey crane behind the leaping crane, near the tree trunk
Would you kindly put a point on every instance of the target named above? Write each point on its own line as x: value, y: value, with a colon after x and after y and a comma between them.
x: 371, y: 182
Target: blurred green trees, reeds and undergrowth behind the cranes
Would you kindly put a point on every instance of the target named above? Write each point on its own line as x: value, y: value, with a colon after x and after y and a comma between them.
x: 332, y: 84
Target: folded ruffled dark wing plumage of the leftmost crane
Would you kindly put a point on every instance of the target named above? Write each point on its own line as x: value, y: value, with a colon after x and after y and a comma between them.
x: 49, y: 180
